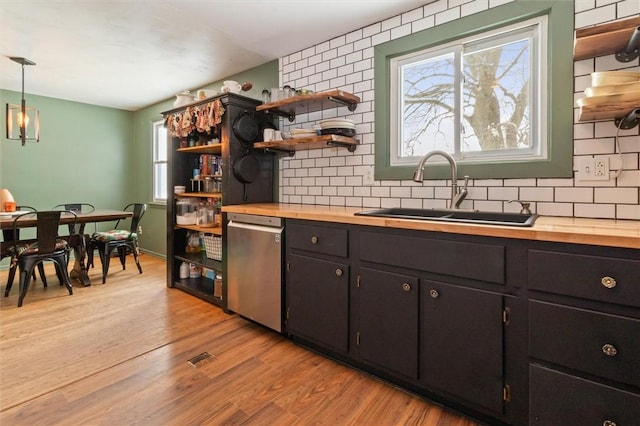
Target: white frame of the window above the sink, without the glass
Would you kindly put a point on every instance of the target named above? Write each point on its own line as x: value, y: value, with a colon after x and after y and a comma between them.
x: 535, y: 30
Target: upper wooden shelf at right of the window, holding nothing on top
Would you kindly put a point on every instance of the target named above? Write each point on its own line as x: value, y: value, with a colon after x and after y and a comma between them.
x: 604, y: 39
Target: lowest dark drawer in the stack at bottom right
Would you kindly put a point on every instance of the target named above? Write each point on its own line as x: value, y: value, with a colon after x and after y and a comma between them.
x: 560, y: 399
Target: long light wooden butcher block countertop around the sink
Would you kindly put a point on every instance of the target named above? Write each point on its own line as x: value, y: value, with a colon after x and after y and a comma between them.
x: 602, y: 232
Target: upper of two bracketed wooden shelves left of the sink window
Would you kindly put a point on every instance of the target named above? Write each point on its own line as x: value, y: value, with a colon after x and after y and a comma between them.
x: 310, y: 103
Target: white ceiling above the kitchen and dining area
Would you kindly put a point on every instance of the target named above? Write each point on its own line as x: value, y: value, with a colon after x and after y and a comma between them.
x: 128, y: 54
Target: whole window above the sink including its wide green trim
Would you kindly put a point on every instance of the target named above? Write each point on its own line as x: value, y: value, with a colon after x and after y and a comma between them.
x: 485, y: 88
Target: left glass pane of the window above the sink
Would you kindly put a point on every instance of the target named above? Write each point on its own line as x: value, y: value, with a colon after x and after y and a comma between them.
x: 428, y: 106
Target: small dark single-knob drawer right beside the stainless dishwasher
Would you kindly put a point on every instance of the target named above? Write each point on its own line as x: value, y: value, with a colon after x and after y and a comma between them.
x: 318, y: 239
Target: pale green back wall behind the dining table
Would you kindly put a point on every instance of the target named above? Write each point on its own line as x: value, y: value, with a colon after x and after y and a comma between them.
x: 84, y: 155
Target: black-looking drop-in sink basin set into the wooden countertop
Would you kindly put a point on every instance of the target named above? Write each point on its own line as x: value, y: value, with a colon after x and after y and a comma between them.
x: 466, y: 216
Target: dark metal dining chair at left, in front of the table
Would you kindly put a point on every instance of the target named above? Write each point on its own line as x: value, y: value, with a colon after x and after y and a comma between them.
x: 46, y: 246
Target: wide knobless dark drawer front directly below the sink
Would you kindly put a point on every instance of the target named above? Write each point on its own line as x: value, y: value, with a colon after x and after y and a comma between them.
x: 478, y: 261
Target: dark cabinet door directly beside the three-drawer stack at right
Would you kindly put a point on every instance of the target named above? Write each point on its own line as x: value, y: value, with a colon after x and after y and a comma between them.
x: 461, y: 347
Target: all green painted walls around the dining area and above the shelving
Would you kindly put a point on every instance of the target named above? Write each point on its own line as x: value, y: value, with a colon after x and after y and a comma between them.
x: 98, y: 155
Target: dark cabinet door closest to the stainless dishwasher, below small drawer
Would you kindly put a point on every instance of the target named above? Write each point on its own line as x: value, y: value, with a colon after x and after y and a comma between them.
x: 317, y: 293
